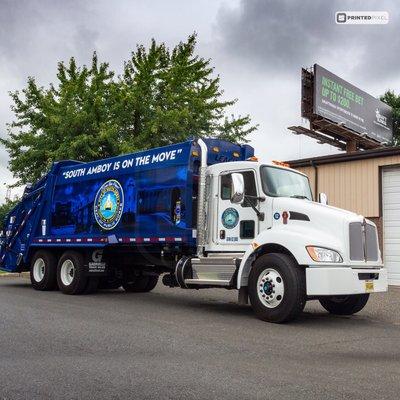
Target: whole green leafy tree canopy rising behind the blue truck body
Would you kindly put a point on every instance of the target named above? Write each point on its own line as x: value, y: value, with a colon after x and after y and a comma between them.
x: 162, y: 97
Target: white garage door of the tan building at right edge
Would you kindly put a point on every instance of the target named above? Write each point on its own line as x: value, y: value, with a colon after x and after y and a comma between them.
x: 391, y: 223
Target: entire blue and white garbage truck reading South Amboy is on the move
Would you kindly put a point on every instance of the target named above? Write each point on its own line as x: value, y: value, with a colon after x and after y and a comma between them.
x: 202, y: 214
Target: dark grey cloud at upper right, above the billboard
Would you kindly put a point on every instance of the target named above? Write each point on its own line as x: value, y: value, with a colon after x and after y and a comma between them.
x: 281, y: 36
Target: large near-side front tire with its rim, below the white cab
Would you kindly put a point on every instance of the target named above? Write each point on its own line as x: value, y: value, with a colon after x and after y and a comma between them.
x: 276, y: 287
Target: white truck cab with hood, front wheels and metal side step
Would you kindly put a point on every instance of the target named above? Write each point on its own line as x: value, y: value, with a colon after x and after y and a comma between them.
x: 264, y: 234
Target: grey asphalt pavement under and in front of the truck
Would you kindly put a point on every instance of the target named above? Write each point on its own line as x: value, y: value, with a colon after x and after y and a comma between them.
x: 187, y: 344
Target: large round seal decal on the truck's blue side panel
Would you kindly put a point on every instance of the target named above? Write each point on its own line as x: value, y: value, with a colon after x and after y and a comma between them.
x: 109, y: 204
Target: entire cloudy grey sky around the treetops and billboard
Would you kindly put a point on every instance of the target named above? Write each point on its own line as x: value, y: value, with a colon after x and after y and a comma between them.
x: 258, y: 48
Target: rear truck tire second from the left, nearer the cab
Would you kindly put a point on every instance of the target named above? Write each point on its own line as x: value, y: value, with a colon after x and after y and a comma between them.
x: 71, y: 274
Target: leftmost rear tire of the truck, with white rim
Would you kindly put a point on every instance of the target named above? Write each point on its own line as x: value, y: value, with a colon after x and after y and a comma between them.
x: 43, y: 271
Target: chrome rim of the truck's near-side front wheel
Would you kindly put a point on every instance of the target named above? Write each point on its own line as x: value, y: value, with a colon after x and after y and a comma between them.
x: 270, y: 288
